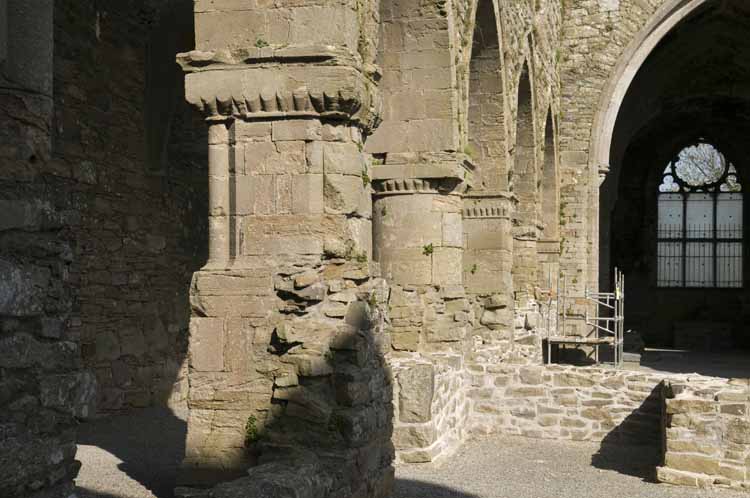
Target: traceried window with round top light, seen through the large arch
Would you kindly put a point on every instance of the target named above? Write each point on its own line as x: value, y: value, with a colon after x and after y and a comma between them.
x: 700, y: 236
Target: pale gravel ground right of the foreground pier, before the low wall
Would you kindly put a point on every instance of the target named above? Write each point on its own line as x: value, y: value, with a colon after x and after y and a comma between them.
x: 510, y: 467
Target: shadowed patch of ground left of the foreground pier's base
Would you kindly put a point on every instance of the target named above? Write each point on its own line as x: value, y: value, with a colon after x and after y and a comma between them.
x: 149, y: 442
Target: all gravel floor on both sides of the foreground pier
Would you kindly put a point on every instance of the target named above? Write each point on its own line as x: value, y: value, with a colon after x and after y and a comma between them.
x: 136, y: 456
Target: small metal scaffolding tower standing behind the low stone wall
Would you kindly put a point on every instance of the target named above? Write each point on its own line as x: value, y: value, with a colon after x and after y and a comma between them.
x: 607, y: 326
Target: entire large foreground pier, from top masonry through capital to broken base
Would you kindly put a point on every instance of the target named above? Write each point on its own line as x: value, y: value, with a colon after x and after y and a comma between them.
x: 286, y: 336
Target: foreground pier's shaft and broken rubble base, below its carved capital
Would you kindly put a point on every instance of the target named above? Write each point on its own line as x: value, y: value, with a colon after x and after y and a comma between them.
x: 288, y: 334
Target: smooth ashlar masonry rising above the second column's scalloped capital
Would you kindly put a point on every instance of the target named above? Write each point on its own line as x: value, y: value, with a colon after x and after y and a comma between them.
x: 418, y: 84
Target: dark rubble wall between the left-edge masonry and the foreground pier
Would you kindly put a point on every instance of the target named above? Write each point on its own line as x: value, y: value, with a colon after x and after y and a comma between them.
x: 138, y: 233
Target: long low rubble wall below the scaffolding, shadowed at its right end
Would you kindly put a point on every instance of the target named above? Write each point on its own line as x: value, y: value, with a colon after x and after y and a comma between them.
x: 566, y: 402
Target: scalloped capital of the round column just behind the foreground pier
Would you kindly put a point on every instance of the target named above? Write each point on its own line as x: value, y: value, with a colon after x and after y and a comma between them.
x: 409, y: 173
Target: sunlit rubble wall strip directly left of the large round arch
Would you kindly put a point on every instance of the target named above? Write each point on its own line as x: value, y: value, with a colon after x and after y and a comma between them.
x: 594, y: 35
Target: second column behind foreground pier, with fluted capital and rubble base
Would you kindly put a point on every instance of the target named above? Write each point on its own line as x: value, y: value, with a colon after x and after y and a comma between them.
x: 419, y: 243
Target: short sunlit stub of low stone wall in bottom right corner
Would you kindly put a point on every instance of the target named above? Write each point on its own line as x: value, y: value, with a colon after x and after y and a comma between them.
x: 707, y: 433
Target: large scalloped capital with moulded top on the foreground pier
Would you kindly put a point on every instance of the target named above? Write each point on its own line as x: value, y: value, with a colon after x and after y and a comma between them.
x: 282, y: 83
